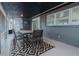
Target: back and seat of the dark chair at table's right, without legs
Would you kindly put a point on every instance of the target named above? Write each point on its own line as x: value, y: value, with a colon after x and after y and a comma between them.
x: 36, y: 36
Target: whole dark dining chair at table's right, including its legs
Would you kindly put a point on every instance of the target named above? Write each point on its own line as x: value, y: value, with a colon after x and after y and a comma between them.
x: 35, y: 39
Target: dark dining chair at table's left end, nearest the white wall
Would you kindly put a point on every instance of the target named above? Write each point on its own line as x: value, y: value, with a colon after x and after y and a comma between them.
x: 17, y: 41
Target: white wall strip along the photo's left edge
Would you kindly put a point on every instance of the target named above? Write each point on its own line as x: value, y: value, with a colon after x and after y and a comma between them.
x: 2, y: 30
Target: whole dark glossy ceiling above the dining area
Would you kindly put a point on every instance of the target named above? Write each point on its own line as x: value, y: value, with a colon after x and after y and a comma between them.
x: 28, y: 9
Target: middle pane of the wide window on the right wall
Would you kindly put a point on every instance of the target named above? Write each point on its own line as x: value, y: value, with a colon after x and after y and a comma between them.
x: 62, y: 17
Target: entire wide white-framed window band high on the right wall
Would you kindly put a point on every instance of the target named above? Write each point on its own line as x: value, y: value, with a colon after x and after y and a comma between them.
x: 65, y: 17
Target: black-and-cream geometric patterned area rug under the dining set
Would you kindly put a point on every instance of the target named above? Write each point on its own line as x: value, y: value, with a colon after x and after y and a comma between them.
x: 32, y: 49
